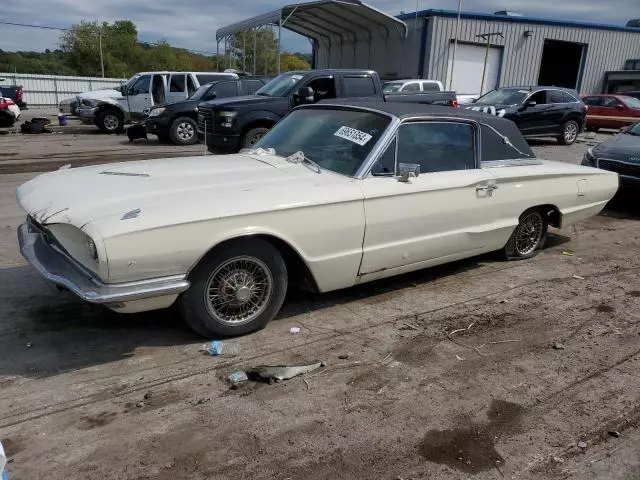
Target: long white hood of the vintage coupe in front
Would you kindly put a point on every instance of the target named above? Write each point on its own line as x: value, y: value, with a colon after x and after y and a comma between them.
x: 177, y: 190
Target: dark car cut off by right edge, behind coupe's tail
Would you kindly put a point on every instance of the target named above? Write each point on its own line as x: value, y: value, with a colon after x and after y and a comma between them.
x: 620, y: 154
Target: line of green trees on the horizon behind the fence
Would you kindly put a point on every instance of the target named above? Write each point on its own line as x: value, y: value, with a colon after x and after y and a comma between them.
x: 123, y: 54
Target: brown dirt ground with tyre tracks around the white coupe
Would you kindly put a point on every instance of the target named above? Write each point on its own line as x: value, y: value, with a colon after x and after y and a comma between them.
x: 479, y: 369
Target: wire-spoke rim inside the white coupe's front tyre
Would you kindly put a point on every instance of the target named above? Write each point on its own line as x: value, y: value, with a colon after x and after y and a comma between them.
x: 239, y: 290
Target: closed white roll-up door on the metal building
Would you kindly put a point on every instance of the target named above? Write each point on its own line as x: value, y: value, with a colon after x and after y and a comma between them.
x: 467, y: 74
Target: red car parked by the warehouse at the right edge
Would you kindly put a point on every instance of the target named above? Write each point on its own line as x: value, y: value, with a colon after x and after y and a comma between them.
x: 611, y: 111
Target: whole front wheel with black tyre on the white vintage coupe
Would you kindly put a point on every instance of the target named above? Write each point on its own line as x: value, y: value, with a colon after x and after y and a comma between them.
x: 235, y: 290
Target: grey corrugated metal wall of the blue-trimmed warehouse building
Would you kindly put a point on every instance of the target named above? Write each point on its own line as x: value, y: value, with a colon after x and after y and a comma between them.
x: 606, y: 49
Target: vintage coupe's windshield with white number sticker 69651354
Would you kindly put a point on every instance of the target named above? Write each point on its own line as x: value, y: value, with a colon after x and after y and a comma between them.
x: 336, y: 140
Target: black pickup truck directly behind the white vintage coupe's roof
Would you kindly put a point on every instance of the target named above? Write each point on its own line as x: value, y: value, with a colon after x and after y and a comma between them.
x: 234, y: 123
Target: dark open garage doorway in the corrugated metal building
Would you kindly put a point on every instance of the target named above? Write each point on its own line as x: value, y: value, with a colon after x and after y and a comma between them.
x: 561, y: 64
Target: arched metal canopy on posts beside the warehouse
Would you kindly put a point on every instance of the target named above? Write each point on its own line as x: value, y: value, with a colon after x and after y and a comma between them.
x: 330, y: 23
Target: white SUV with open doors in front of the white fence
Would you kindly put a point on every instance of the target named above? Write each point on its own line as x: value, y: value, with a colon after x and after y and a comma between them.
x: 142, y: 91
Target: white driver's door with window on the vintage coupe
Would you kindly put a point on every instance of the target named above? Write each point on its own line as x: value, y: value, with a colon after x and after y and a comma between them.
x: 443, y: 214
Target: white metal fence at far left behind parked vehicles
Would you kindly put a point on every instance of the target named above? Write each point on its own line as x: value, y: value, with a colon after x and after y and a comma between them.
x: 48, y: 90
